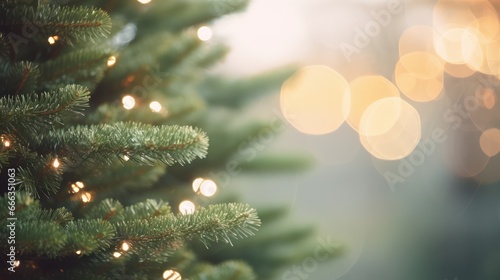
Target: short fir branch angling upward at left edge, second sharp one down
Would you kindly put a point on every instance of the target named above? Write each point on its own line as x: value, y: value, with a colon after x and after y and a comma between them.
x: 34, y: 112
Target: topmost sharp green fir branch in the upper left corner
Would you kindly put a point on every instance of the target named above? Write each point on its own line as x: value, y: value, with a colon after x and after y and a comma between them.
x: 71, y: 24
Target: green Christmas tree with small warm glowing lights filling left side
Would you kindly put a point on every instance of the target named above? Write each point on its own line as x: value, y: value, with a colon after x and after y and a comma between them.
x: 106, y: 109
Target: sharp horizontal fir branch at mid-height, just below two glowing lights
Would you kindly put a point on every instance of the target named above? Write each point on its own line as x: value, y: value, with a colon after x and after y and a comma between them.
x: 142, y: 143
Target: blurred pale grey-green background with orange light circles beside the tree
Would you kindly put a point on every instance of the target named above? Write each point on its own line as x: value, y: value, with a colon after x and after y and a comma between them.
x: 396, y: 100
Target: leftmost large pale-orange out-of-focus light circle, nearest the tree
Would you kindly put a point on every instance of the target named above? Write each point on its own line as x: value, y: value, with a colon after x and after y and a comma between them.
x: 315, y: 100
